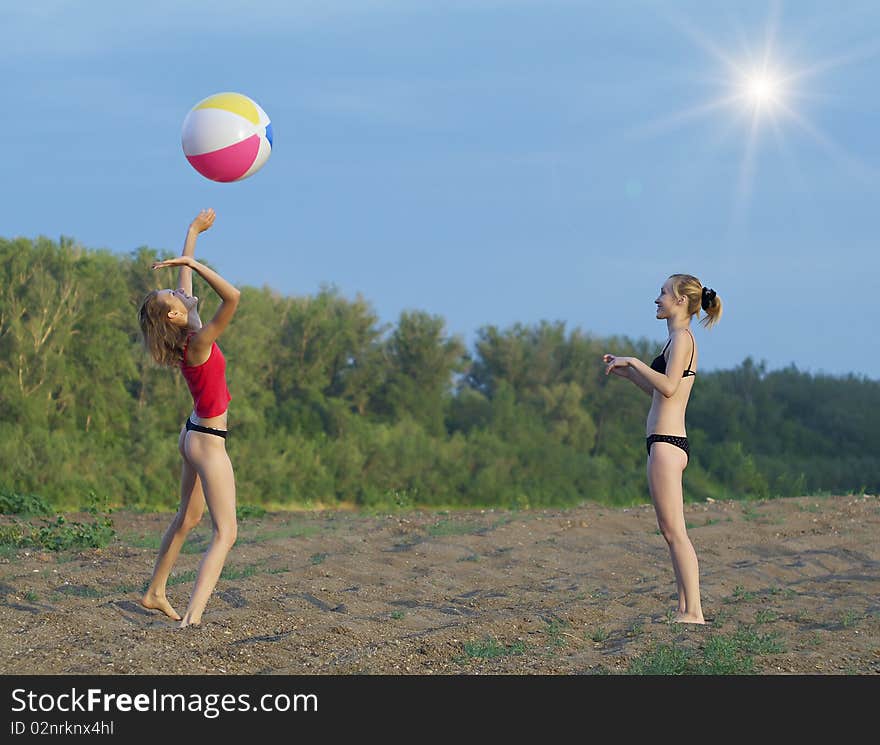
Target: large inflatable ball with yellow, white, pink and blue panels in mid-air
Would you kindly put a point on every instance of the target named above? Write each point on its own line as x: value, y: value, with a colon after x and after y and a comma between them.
x: 227, y: 137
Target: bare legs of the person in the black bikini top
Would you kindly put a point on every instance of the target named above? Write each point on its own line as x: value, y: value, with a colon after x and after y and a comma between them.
x: 665, y: 466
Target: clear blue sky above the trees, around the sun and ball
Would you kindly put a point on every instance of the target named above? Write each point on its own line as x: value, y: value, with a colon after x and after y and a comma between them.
x: 491, y: 162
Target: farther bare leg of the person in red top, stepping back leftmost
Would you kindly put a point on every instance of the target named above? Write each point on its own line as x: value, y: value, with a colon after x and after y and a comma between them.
x: 192, y: 507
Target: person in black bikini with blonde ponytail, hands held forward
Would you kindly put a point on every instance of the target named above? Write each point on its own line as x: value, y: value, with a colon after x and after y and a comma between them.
x: 668, y: 380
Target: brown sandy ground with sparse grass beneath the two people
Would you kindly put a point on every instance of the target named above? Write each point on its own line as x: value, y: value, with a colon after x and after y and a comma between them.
x: 587, y: 590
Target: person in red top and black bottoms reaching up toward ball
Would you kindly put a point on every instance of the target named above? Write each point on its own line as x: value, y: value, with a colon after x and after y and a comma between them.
x: 175, y: 336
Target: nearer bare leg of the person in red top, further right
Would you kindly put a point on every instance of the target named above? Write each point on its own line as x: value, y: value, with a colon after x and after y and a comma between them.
x: 208, y: 452
